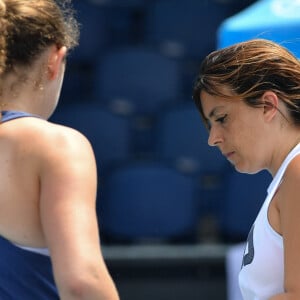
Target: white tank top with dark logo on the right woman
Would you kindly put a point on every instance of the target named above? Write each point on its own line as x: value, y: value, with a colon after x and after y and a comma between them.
x: 262, y: 272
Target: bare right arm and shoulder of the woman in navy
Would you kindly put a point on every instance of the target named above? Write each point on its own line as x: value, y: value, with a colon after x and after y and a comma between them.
x: 68, y: 183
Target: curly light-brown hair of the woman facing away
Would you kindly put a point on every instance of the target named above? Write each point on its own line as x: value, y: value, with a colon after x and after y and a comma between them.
x: 27, y: 27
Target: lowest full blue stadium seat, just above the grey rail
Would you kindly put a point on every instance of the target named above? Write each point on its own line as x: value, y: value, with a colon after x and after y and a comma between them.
x: 147, y: 201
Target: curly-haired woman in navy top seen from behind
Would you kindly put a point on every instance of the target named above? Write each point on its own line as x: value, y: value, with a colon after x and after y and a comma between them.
x: 49, y: 240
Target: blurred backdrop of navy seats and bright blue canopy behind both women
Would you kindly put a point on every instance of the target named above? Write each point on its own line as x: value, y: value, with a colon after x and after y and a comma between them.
x: 170, y: 208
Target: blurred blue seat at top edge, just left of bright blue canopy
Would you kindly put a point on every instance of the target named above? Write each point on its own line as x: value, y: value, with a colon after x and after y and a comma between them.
x: 184, y: 28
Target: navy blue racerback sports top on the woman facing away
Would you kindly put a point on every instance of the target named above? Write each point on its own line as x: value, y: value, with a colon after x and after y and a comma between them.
x: 25, y: 273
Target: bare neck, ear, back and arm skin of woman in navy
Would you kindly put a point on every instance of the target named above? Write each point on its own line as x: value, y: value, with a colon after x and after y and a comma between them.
x: 48, y: 183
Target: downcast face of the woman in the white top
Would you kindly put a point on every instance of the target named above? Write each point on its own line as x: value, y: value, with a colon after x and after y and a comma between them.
x: 237, y: 130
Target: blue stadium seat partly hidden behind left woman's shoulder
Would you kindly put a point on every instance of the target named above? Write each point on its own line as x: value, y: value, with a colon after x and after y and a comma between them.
x: 109, y: 134
